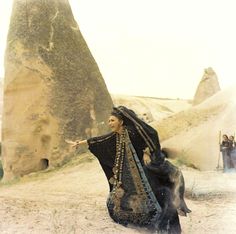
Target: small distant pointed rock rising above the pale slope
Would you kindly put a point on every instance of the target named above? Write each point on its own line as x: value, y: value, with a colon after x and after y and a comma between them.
x: 207, y: 87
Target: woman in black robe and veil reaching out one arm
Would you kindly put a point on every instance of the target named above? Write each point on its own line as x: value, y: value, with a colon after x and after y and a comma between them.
x: 146, y: 193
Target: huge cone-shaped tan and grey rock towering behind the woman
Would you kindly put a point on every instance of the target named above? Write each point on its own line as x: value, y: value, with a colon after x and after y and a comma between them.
x: 53, y: 89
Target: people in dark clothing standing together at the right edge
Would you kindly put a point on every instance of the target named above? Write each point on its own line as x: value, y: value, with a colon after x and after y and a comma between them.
x: 228, y: 149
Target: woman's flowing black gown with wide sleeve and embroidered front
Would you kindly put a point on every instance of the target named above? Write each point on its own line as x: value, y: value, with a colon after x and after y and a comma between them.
x: 144, y: 196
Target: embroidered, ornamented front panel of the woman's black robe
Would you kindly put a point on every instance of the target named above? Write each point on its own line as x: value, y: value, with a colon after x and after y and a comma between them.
x: 143, y: 208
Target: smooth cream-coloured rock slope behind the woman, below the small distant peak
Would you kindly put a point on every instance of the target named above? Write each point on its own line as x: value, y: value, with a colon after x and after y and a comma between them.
x: 193, y: 135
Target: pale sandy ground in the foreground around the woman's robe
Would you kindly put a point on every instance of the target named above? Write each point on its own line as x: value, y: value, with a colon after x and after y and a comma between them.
x: 72, y: 200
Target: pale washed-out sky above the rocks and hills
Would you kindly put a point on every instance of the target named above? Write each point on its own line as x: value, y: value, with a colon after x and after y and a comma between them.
x: 154, y: 47
